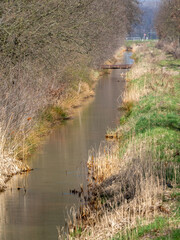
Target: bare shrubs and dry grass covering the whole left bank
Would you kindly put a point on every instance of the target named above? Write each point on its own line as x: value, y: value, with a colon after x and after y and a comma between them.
x: 47, y: 52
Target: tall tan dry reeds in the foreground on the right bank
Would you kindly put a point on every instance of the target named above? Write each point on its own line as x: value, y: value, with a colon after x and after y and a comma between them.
x: 131, y: 190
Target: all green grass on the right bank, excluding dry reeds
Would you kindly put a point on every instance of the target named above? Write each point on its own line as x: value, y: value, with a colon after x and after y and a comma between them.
x: 155, y: 122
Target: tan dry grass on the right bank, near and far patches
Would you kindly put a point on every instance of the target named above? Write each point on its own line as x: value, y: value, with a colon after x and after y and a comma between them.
x: 128, y: 180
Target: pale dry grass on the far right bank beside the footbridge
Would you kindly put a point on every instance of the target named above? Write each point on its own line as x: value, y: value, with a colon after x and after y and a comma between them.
x: 154, y: 78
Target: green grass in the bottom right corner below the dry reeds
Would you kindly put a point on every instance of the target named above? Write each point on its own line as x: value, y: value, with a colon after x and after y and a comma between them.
x: 162, y: 227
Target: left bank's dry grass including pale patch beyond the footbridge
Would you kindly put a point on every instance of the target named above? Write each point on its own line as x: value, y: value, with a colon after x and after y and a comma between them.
x: 18, y: 145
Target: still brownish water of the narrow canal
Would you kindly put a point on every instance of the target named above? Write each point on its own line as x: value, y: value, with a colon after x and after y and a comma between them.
x: 59, y: 167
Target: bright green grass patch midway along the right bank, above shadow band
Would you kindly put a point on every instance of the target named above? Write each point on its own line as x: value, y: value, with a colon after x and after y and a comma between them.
x: 151, y: 112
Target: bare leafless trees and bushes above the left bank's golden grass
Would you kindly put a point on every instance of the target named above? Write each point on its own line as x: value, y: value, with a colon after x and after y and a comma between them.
x: 40, y: 39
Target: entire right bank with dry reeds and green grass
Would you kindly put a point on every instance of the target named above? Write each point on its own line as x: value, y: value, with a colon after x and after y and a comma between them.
x: 134, y: 183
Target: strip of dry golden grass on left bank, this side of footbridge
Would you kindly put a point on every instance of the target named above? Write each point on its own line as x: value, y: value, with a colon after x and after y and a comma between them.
x: 64, y: 107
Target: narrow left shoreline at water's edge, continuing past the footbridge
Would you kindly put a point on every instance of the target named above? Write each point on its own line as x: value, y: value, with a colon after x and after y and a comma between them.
x: 64, y: 110
